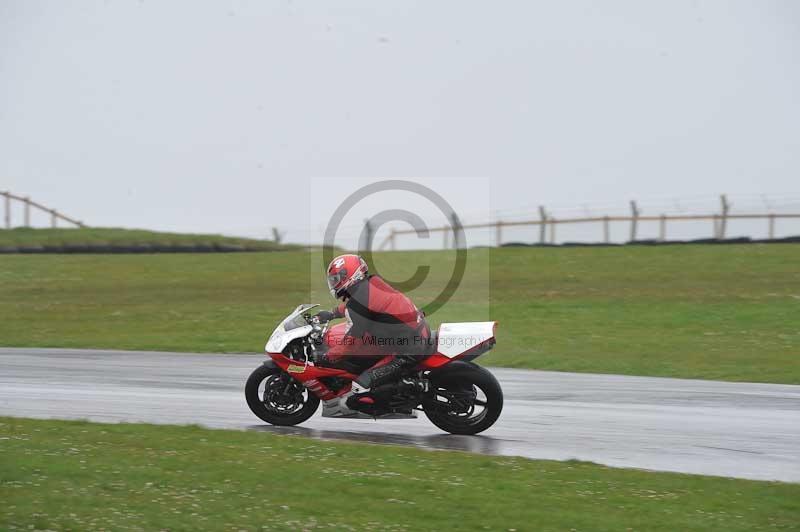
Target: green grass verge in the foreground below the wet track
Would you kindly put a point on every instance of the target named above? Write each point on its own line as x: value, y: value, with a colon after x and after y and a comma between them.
x: 82, y: 476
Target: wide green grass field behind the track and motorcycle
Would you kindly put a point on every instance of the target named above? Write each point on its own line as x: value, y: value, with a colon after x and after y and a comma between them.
x: 719, y: 312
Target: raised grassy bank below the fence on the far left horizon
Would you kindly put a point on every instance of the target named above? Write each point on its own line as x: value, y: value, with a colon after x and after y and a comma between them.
x: 111, y: 237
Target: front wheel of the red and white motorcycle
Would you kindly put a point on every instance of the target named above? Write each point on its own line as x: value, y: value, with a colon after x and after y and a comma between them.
x: 277, y: 398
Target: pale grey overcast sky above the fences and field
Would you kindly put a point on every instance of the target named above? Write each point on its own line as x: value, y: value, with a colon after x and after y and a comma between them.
x: 220, y: 116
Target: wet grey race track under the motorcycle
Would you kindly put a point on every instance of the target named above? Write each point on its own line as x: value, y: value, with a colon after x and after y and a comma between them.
x: 729, y: 429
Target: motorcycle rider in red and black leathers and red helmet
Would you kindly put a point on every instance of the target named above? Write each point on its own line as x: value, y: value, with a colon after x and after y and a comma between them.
x: 381, y: 321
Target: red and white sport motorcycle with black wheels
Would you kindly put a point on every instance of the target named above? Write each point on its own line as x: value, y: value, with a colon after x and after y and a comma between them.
x: 455, y: 394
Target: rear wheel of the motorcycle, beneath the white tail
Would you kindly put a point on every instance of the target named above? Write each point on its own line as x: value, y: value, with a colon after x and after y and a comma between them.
x: 465, y: 402
